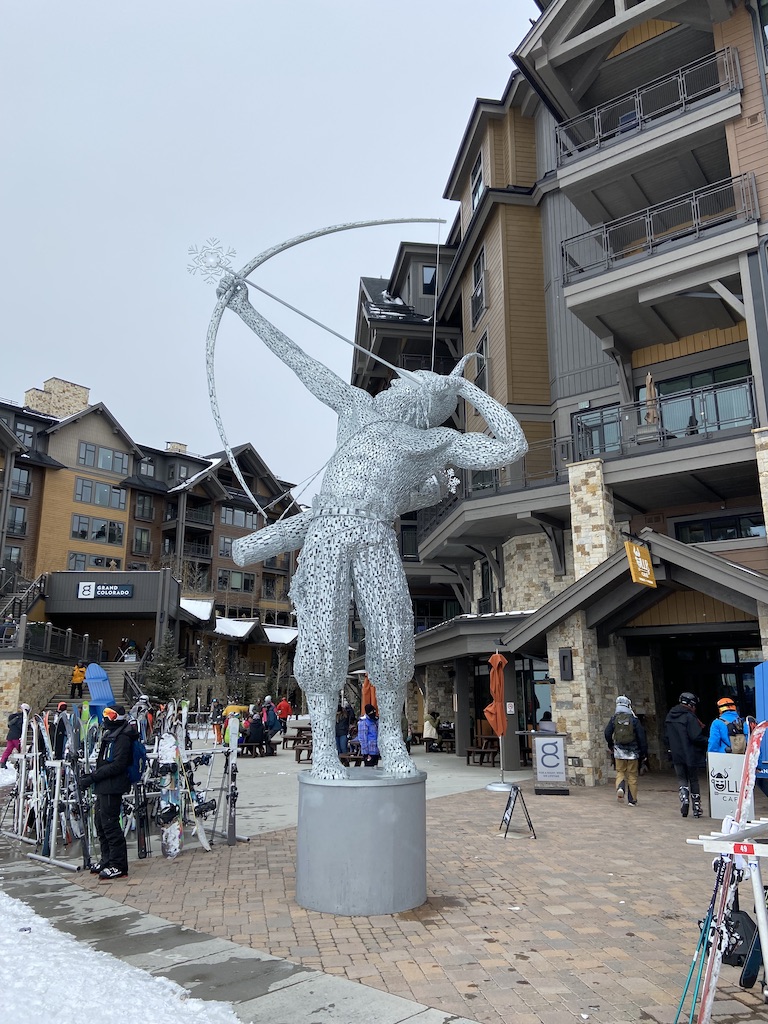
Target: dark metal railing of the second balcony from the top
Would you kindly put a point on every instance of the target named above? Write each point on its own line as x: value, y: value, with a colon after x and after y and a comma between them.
x: 687, y: 218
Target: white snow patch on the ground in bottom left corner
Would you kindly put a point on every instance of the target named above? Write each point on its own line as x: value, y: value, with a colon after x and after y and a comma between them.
x: 36, y: 962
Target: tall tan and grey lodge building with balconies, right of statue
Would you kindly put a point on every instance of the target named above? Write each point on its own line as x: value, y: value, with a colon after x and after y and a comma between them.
x: 609, y: 263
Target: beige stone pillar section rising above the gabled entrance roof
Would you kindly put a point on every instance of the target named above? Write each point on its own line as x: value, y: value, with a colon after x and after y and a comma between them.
x: 594, y: 531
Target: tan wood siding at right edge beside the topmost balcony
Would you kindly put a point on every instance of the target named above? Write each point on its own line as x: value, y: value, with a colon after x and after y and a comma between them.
x: 748, y: 140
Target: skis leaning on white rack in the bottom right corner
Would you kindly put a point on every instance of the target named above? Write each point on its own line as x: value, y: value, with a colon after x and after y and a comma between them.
x: 720, y: 933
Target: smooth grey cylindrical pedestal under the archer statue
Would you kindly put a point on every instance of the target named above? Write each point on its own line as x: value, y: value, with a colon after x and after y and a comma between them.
x: 362, y: 844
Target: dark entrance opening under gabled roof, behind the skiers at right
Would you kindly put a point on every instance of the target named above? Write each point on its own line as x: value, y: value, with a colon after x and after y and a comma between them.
x: 713, y: 669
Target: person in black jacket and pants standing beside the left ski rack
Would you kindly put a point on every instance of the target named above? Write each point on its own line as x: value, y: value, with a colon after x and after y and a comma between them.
x: 110, y: 782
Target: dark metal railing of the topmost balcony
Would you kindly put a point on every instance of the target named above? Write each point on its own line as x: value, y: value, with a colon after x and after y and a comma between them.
x: 716, y: 74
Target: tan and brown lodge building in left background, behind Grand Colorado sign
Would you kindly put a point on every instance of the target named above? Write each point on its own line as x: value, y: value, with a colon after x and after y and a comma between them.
x: 78, y: 495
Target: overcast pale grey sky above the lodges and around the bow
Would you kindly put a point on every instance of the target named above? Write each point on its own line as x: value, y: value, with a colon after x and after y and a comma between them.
x: 135, y: 131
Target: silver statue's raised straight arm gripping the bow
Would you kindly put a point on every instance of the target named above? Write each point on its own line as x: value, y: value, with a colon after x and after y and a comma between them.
x: 316, y: 376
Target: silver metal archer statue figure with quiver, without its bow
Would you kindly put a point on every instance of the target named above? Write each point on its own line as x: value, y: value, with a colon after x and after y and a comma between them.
x: 392, y: 457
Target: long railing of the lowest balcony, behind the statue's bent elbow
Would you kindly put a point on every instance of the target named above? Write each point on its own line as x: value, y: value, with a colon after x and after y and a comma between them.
x: 679, y: 420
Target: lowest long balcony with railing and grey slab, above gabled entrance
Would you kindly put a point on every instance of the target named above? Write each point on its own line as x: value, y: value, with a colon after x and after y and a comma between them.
x: 674, y: 434
